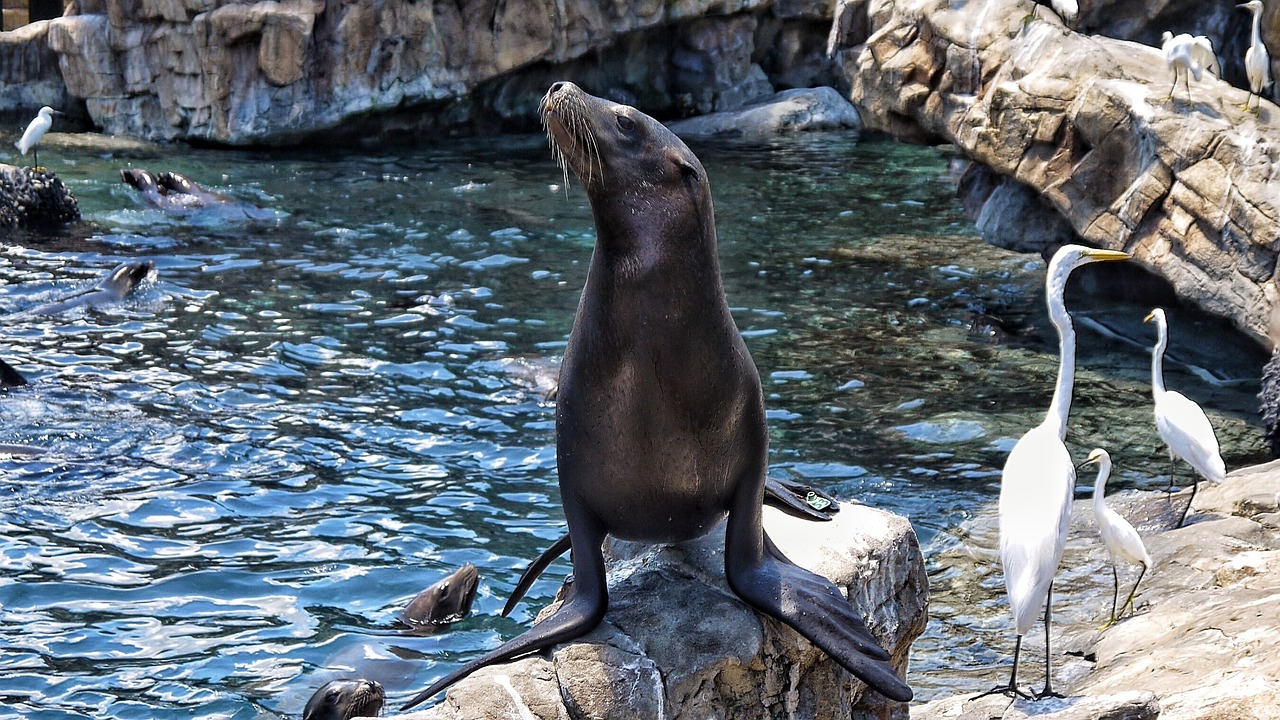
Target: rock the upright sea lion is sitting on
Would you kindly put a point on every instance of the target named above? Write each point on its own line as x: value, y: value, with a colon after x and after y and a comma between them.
x: 676, y: 644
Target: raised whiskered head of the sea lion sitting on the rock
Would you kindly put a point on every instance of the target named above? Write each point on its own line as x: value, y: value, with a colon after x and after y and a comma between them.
x: 611, y: 147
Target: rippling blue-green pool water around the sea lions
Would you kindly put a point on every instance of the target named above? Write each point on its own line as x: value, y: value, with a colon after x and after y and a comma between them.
x: 257, y: 461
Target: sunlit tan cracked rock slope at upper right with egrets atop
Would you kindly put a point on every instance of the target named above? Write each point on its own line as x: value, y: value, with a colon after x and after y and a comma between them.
x: 1186, y: 185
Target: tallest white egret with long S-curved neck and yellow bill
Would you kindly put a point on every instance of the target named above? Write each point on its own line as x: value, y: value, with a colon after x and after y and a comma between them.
x: 1039, y: 480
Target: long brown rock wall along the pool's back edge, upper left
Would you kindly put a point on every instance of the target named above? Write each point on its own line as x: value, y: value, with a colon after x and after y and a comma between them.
x: 284, y: 71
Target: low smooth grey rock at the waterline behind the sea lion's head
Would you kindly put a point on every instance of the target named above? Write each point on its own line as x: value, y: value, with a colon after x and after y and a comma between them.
x: 790, y: 111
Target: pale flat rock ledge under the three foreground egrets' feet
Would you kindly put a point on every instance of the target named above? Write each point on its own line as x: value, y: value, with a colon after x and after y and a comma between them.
x: 1203, y: 642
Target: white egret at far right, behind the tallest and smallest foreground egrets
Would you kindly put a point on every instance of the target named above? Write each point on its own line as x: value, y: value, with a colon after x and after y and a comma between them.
x: 1182, y: 425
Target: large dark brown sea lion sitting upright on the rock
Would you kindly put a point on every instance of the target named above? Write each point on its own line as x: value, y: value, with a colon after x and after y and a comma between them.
x: 660, y: 420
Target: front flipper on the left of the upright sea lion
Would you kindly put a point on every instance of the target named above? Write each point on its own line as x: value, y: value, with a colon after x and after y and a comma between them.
x: 582, y: 612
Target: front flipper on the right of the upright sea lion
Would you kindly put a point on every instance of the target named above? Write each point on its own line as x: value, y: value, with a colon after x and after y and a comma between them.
x: 810, y: 604
